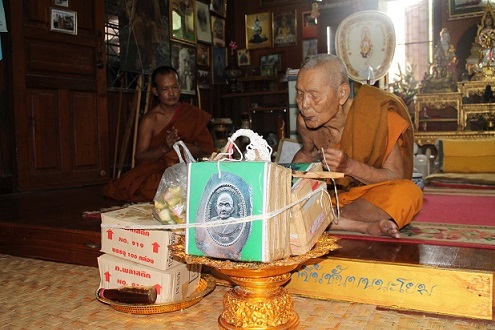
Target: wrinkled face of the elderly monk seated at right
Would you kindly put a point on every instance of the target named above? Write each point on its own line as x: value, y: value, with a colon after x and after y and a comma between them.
x: 317, y: 101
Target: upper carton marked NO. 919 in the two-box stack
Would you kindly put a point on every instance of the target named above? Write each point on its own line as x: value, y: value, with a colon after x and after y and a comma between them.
x: 146, y: 247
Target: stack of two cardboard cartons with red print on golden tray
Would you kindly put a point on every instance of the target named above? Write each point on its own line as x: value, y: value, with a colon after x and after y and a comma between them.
x: 141, y: 257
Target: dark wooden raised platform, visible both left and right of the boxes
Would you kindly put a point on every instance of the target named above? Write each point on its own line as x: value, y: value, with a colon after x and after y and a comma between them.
x: 49, y: 225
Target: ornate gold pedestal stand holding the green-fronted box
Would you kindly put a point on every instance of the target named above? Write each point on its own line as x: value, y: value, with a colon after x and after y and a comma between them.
x: 258, y: 300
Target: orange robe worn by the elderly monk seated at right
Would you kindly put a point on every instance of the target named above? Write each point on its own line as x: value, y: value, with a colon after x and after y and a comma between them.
x: 376, y: 121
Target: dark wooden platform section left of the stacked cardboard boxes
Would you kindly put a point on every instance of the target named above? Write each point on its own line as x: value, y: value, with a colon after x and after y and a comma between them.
x: 50, y: 225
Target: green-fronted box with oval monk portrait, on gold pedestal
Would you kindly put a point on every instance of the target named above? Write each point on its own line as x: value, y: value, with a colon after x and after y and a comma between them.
x: 232, y: 190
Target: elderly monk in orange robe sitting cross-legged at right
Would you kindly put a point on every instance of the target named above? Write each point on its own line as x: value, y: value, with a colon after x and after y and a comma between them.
x: 368, y: 138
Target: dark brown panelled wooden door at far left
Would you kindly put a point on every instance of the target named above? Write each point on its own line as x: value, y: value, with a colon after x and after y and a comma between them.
x: 59, y: 99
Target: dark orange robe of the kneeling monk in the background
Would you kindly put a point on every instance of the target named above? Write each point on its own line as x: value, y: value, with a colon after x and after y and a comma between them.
x: 141, y: 182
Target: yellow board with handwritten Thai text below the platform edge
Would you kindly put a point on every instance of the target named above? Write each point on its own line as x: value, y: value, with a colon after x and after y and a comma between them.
x: 454, y: 292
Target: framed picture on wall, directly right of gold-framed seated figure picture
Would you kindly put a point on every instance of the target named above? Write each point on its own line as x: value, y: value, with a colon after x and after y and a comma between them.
x: 284, y: 28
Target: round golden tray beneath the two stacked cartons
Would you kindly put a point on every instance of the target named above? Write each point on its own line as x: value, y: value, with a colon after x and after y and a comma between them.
x: 206, y: 285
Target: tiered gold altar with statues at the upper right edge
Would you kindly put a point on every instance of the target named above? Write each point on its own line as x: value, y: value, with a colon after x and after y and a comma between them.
x: 465, y: 110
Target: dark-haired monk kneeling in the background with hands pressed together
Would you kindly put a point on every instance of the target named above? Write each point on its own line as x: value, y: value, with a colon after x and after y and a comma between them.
x: 166, y: 123
